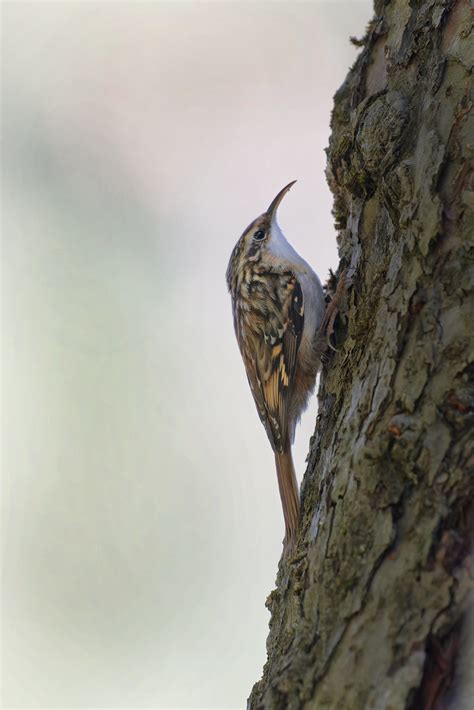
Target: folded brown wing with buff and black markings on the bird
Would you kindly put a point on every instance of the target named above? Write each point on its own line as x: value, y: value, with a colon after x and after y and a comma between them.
x: 270, y: 335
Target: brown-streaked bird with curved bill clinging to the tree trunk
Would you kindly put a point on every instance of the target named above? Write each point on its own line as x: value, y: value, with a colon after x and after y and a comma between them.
x: 279, y: 313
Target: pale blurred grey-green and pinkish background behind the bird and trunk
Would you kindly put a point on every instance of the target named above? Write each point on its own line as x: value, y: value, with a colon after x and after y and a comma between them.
x: 141, y: 520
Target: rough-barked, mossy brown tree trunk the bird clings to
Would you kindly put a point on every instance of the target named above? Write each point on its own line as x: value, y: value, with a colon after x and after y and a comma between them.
x: 371, y: 611
